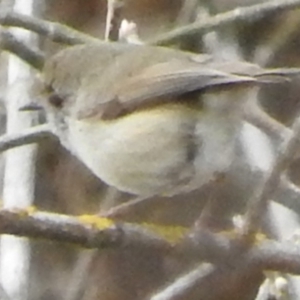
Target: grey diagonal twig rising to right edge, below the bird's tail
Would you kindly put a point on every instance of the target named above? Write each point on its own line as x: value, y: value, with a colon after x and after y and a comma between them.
x: 257, y: 205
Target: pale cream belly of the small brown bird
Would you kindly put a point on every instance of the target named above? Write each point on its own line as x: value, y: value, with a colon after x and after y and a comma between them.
x: 147, y: 154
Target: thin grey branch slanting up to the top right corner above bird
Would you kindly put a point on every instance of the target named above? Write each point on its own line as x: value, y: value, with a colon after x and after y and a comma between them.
x: 246, y: 14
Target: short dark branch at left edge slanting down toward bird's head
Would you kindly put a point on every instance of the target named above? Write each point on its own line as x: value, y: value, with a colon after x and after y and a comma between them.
x: 10, y: 43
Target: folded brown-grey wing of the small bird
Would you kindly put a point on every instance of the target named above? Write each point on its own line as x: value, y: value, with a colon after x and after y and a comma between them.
x: 158, y: 83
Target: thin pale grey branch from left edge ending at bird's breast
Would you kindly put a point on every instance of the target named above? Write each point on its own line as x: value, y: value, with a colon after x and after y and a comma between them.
x: 28, y: 136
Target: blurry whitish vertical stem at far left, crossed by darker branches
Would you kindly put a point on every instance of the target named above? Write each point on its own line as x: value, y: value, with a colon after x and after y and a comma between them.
x: 19, y: 175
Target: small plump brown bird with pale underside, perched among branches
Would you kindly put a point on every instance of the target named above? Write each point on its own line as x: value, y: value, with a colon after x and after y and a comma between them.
x: 149, y: 120
